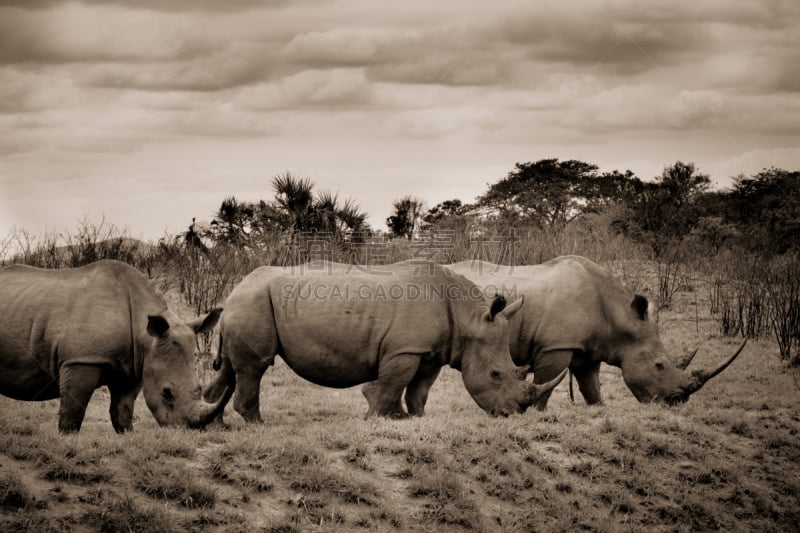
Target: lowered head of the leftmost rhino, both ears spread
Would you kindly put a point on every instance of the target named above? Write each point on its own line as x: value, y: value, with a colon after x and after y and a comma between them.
x: 169, y: 383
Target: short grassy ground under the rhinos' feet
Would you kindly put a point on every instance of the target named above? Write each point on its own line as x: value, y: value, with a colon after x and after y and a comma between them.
x: 728, y: 460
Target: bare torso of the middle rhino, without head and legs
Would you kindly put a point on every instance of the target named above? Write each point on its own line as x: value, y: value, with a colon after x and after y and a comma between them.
x: 334, y: 325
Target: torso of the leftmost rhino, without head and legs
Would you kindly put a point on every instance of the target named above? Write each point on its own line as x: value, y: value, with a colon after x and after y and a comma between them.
x: 81, y: 315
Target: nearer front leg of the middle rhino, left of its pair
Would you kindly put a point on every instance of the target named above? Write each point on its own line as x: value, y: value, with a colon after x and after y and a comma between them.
x: 394, y: 374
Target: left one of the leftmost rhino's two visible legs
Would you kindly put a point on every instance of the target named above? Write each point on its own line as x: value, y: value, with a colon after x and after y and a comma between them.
x: 77, y: 382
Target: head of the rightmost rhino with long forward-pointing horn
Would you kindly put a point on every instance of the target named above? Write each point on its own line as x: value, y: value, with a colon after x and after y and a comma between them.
x: 650, y: 375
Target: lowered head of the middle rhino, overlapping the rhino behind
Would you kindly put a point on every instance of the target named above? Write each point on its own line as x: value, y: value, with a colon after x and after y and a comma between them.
x: 489, y: 373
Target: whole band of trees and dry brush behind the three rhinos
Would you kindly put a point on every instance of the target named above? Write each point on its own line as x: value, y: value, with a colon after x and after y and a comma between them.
x: 742, y: 242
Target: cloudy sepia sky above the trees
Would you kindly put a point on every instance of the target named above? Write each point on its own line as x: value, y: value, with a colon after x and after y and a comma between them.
x: 147, y: 113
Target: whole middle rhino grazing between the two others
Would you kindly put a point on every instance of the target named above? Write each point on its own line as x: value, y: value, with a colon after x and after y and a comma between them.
x: 338, y: 327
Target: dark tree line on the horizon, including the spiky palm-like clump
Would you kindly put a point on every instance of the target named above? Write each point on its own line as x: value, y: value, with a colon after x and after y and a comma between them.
x: 760, y: 213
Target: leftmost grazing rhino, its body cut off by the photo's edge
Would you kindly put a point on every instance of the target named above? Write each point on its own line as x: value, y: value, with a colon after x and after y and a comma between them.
x: 64, y: 333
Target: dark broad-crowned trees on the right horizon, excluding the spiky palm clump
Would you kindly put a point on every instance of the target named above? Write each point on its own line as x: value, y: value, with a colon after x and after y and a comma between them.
x: 760, y: 213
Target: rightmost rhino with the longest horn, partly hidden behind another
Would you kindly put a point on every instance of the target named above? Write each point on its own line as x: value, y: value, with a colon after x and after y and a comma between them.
x: 576, y: 315
